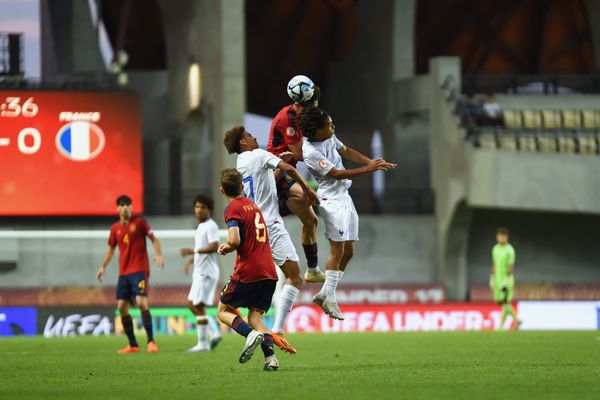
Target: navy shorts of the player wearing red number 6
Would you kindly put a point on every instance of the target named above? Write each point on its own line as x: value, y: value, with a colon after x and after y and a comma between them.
x: 249, y: 294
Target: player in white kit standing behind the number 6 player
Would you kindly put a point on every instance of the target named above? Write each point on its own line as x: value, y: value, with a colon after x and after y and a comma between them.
x: 205, y: 275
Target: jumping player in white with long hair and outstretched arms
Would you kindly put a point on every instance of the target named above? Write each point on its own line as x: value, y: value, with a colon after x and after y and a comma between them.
x: 323, y: 153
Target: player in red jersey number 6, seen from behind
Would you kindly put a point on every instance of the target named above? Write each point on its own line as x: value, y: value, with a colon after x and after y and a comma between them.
x: 254, y: 278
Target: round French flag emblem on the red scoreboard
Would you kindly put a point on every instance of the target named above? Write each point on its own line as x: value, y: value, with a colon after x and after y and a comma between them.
x: 80, y: 141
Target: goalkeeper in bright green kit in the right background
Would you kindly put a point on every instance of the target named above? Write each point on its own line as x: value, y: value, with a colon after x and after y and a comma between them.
x: 502, y: 280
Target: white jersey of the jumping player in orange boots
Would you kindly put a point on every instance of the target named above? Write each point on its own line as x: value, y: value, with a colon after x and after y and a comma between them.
x: 257, y: 167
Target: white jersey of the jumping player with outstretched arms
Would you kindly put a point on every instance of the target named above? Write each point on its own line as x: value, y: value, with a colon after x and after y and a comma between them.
x: 320, y: 158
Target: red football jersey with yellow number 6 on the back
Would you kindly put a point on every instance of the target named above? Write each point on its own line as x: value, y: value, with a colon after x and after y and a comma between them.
x: 254, y: 261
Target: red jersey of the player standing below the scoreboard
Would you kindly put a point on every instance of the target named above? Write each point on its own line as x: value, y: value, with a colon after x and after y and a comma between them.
x: 131, y: 239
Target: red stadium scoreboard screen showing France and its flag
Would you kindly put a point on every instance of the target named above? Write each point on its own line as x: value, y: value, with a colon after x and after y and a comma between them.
x: 69, y: 153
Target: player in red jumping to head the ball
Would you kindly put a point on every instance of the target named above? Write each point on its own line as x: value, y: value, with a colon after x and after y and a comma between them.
x: 284, y: 137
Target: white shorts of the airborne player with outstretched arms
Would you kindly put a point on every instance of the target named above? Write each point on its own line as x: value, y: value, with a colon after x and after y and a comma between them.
x: 341, y: 218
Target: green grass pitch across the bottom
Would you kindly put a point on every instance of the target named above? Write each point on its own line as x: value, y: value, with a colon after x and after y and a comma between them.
x: 436, y: 365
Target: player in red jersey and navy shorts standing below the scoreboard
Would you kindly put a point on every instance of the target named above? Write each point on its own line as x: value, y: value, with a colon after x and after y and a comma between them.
x: 132, y: 288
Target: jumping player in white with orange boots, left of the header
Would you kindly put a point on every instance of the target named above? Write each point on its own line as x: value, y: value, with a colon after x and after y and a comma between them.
x: 257, y: 166
